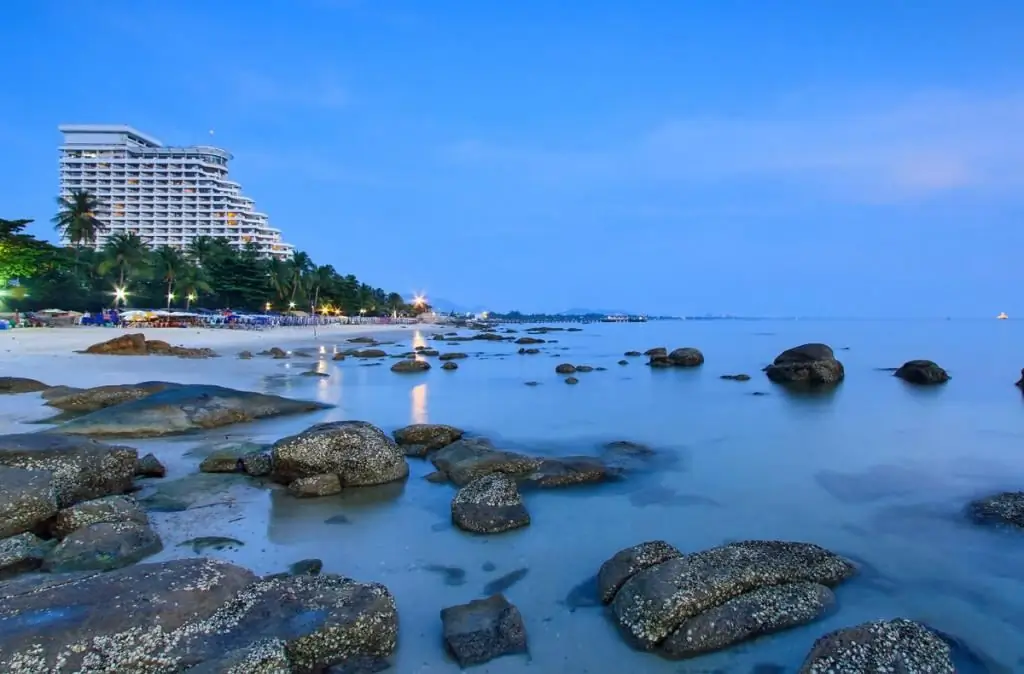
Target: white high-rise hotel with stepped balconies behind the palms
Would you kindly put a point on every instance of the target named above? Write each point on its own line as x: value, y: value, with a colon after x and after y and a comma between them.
x: 168, y: 196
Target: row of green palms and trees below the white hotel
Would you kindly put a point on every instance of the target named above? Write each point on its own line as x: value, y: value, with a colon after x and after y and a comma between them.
x: 210, y: 273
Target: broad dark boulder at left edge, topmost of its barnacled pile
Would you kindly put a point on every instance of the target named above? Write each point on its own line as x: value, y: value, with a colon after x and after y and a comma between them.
x: 82, y: 469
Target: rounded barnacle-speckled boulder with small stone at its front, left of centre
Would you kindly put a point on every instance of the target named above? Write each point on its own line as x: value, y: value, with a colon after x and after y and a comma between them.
x: 358, y: 452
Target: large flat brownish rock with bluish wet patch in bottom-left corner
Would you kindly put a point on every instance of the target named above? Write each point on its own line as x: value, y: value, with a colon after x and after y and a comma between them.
x: 114, y: 621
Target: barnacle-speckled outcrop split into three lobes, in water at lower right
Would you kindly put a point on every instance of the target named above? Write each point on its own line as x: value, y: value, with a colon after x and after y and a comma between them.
x: 682, y: 606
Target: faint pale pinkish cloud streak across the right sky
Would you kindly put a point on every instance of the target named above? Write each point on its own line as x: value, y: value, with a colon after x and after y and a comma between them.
x: 916, y: 149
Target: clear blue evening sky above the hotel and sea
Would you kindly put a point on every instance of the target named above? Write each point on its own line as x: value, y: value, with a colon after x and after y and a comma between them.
x: 850, y: 158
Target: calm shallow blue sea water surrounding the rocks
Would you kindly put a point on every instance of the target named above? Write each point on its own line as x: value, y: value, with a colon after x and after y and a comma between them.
x: 878, y: 471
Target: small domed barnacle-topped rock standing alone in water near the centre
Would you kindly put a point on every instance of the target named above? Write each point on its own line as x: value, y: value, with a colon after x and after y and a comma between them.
x: 490, y: 505
